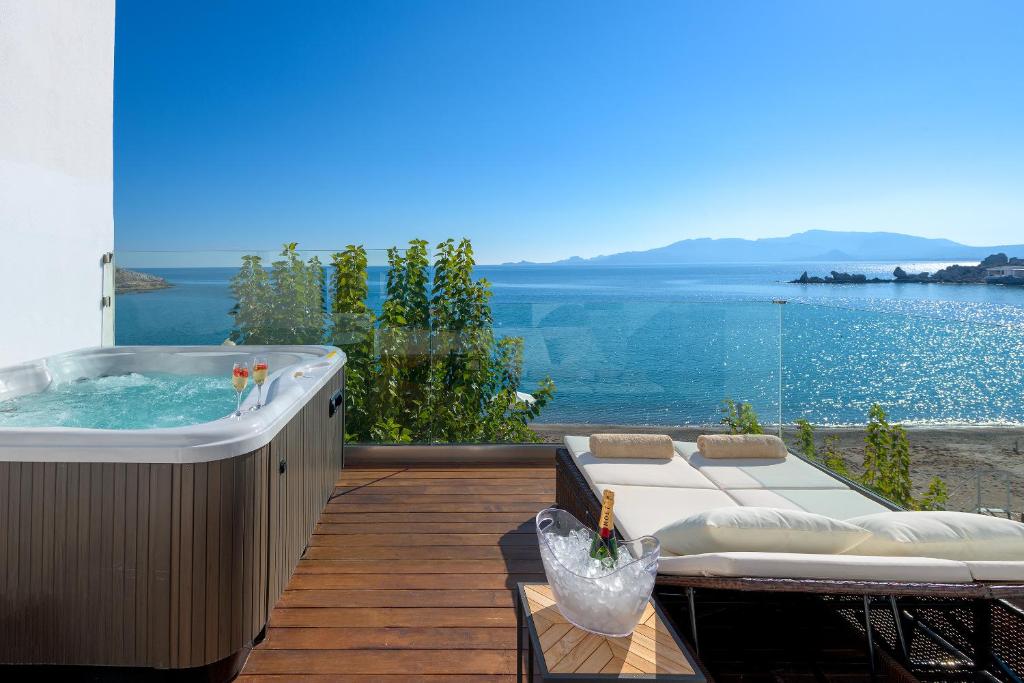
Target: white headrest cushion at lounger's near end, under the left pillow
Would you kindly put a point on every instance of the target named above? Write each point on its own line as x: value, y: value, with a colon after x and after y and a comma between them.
x: 796, y: 566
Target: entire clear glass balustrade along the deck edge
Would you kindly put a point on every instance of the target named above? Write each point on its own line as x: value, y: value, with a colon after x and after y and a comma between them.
x: 514, y: 368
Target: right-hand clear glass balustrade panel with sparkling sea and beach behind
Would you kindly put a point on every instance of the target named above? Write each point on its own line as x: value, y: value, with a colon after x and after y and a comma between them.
x: 955, y: 386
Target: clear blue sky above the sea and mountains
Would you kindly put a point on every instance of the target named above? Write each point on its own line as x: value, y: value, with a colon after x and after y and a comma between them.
x: 543, y: 131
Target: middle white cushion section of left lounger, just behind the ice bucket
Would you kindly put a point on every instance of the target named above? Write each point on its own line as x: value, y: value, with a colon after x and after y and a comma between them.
x: 644, y: 510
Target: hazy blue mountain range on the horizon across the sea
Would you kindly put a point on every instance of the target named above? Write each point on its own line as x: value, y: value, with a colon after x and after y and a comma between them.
x: 828, y: 246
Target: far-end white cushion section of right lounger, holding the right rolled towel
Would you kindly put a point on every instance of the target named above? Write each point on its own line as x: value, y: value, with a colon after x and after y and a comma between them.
x: 758, y: 474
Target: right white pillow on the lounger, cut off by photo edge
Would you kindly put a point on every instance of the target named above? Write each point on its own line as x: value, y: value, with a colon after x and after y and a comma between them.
x: 951, y: 536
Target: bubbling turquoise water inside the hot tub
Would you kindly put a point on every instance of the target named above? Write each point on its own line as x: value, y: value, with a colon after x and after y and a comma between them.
x: 133, y: 401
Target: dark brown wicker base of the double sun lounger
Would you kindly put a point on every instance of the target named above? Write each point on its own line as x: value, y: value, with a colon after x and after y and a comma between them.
x: 942, y: 631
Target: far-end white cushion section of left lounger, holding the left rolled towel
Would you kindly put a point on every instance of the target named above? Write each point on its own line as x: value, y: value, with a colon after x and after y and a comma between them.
x: 634, y: 473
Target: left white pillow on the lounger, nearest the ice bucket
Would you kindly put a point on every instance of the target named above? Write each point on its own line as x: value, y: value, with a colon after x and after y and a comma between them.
x: 759, y: 530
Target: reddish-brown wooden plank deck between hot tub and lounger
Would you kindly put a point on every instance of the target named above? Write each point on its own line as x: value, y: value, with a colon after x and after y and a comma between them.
x: 410, y: 577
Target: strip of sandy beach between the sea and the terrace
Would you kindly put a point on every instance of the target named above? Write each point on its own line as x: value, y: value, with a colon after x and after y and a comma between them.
x: 956, y: 454
